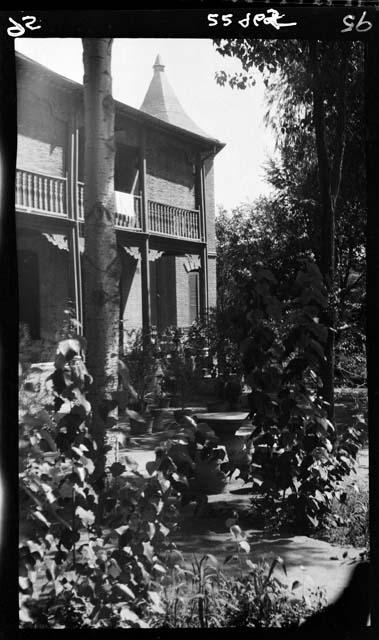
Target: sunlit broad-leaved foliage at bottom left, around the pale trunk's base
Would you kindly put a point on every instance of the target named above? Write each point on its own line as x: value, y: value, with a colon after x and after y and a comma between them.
x: 80, y: 565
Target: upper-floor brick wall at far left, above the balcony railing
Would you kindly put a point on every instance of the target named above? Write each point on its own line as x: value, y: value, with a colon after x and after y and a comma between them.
x: 42, y: 134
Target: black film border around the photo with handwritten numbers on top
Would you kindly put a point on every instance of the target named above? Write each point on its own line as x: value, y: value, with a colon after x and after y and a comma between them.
x: 315, y: 20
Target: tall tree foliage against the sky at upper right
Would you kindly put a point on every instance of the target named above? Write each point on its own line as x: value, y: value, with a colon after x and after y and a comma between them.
x: 292, y: 217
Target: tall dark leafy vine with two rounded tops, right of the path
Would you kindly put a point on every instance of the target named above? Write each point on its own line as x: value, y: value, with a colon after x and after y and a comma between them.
x: 297, y: 462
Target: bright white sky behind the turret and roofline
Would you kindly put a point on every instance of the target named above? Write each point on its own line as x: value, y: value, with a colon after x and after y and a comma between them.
x: 234, y: 117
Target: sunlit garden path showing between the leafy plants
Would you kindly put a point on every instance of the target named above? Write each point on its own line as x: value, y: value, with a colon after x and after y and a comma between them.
x: 314, y: 563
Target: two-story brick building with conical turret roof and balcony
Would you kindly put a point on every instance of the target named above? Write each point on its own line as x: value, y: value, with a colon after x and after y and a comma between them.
x: 164, y: 194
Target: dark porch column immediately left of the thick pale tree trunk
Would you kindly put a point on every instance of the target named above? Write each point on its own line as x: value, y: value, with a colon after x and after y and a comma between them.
x: 73, y: 214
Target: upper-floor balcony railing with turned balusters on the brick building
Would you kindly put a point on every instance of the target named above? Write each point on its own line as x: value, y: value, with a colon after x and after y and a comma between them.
x: 42, y: 194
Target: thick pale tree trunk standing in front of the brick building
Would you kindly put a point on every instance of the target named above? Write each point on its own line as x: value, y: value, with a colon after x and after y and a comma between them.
x: 101, y: 263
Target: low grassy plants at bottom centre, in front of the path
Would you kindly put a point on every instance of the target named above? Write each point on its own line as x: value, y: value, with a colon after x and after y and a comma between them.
x: 204, y: 597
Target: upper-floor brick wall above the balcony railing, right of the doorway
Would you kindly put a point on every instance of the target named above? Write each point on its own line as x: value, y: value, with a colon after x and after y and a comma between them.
x: 169, y: 168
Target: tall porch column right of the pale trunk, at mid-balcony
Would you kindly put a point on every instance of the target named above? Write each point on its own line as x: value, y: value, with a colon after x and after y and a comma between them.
x: 145, y: 273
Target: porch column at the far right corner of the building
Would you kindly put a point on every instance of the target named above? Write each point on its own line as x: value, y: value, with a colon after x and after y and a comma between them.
x: 200, y: 204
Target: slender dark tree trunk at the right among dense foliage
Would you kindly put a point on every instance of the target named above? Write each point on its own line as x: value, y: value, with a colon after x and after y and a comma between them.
x: 327, y: 249
